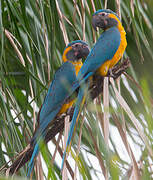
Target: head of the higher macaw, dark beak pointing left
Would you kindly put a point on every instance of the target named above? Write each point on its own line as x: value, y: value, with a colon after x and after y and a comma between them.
x: 104, y: 19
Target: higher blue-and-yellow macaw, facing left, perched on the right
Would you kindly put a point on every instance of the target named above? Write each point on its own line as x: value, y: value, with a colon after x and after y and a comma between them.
x: 107, y: 51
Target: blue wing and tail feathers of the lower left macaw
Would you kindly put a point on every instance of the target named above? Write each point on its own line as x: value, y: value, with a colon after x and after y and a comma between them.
x: 57, y: 93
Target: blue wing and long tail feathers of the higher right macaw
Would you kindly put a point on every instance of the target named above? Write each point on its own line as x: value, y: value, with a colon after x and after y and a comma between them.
x: 104, y: 49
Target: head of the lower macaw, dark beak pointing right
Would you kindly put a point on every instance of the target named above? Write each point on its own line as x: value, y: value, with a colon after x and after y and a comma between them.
x: 75, y: 50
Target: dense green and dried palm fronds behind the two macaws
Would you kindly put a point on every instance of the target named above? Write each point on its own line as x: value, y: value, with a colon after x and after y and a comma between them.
x: 33, y: 35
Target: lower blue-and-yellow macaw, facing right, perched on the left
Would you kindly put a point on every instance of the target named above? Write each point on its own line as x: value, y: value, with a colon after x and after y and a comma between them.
x: 54, y: 102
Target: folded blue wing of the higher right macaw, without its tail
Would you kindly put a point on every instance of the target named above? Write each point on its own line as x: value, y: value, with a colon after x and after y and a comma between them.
x: 103, y: 50
